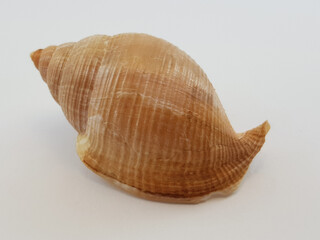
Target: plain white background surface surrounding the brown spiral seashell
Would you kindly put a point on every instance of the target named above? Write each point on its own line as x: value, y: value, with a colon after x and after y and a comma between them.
x: 263, y: 58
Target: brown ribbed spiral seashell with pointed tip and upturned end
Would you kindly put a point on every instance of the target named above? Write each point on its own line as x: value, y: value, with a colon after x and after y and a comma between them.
x: 148, y: 118
